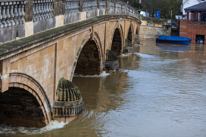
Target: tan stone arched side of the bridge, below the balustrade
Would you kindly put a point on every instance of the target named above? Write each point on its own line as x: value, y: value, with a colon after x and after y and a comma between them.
x: 32, y: 67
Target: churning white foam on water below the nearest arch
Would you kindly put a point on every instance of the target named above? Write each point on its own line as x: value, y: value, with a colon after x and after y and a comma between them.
x: 10, y: 130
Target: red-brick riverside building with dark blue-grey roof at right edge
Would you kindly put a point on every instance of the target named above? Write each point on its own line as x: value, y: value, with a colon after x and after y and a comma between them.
x: 195, y: 25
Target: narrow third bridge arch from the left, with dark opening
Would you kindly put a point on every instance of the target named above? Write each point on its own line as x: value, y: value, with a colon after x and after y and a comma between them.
x: 118, y: 40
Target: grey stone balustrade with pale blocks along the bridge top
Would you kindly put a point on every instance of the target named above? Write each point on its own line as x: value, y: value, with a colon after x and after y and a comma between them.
x: 20, y: 18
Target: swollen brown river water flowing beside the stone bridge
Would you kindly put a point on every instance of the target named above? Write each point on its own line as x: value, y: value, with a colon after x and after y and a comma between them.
x: 159, y: 91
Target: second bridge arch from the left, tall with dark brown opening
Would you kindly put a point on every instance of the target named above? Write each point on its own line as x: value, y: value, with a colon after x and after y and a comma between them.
x: 89, y: 59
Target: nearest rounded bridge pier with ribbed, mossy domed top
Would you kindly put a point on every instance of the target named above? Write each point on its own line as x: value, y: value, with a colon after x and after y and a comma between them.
x: 69, y: 101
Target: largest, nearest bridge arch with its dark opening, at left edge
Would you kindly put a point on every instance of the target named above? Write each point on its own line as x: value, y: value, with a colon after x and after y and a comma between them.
x: 25, y: 88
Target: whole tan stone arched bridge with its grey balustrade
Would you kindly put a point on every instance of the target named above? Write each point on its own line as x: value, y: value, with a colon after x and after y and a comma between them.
x: 45, y: 42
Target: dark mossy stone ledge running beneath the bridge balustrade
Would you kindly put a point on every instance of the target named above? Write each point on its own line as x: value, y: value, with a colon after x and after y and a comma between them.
x: 14, y: 47
